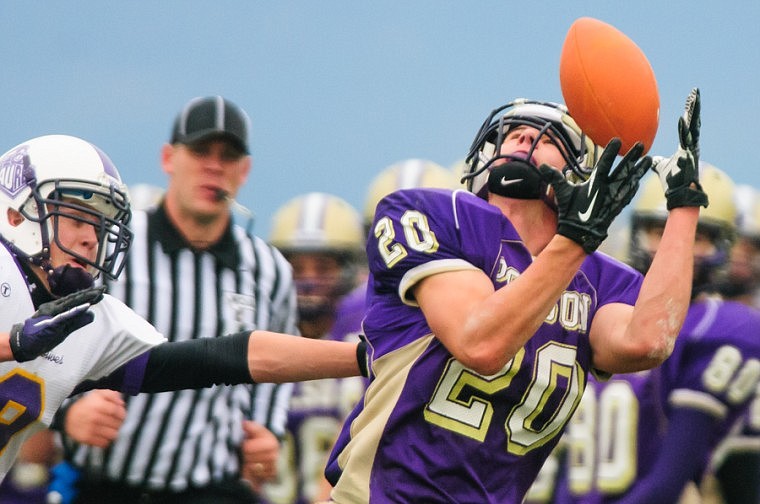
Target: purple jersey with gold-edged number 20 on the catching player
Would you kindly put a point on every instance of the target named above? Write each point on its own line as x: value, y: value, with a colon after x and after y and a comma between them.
x: 429, y: 429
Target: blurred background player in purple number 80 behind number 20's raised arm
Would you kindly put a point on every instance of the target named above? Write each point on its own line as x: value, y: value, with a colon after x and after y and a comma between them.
x: 644, y: 437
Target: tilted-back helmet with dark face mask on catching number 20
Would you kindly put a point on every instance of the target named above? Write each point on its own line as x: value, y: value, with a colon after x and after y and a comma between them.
x: 551, y: 119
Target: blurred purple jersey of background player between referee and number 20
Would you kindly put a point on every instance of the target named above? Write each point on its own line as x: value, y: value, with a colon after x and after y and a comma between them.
x: 317, y: 410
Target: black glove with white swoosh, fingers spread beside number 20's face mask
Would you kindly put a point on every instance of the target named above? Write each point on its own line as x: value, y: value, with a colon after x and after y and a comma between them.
x: 587, y: 209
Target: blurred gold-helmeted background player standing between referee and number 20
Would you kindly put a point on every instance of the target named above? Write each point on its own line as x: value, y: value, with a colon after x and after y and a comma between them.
x: 322, y: 237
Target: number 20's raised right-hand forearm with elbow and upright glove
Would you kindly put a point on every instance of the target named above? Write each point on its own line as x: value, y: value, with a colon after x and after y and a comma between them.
x: 625, y: 340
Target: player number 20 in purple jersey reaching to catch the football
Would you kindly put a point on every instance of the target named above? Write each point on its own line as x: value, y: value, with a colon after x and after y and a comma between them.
x: 488, y: 308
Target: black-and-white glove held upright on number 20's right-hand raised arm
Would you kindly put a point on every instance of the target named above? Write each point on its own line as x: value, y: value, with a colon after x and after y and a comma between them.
x: 679, y: 174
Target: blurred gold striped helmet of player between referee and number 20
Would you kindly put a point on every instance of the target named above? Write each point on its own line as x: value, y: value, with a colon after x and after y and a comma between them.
x: 320, y: 225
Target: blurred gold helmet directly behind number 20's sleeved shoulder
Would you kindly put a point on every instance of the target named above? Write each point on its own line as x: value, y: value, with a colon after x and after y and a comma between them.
x: 406, y: 174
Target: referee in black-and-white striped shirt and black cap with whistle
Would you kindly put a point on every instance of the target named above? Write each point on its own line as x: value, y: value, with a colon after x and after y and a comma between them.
x: 192, y: 273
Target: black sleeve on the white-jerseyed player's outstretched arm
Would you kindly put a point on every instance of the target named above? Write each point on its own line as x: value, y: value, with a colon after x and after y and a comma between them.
x: 198, y: 363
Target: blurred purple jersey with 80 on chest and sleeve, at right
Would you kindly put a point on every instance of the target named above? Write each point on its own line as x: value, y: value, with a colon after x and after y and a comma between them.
x: 618, y: 433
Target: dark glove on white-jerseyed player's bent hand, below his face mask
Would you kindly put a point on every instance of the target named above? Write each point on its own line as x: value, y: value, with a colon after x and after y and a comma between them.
x: 52, y: 323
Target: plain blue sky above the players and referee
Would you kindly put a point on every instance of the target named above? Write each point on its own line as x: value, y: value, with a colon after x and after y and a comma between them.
x: 338, y: 90
